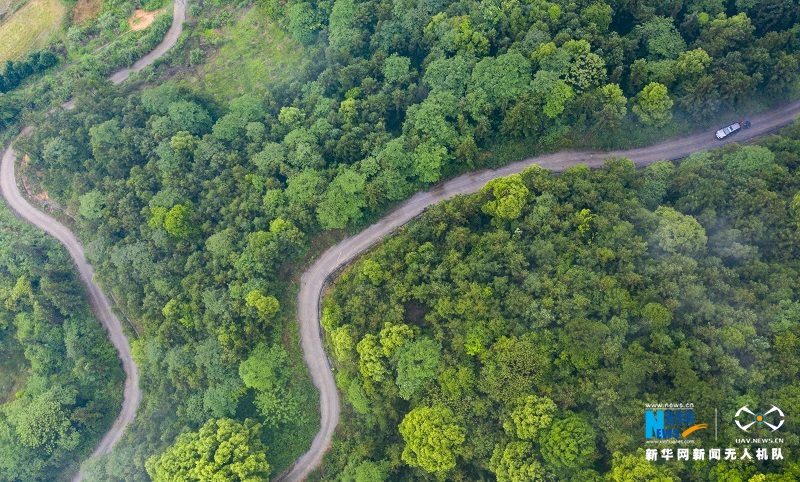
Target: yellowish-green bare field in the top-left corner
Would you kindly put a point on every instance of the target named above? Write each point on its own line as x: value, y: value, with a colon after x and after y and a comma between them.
x: 29, y: 28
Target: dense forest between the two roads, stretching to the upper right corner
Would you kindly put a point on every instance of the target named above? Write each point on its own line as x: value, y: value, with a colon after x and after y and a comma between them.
x: 199, y: 212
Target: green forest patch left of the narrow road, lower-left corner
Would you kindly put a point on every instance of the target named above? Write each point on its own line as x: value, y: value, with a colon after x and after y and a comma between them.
x: 60, y: 379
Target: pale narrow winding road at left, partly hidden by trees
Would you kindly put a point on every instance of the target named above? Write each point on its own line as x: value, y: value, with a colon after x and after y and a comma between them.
x: 101, y: 308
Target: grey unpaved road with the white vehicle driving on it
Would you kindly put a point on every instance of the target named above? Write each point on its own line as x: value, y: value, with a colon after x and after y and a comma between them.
x: 314, y: 278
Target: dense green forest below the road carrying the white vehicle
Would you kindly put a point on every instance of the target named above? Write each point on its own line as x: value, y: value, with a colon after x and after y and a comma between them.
x: 517, y: 333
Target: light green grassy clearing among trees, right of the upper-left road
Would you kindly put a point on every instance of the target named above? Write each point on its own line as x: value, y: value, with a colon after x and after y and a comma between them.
x: 254, y: 54
